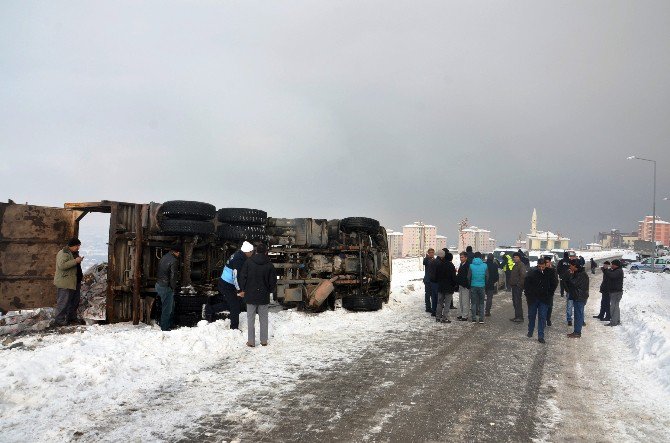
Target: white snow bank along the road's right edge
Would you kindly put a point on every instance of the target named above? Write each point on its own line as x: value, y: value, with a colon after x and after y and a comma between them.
x: 645, y: 322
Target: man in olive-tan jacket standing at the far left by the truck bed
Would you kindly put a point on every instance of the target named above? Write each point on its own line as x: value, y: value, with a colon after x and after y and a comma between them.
x: 68, y: 282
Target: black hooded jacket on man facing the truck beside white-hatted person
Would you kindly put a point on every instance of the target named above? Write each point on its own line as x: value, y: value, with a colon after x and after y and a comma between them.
x: 258, y: 279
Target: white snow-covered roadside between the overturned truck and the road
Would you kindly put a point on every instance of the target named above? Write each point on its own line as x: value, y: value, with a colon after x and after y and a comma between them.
x: 118, y: 374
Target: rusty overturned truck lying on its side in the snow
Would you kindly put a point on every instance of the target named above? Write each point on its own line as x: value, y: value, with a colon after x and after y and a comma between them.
x: 318, y: 261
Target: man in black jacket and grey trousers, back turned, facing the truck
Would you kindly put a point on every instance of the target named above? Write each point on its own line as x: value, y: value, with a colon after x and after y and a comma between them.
x: 258, y: 280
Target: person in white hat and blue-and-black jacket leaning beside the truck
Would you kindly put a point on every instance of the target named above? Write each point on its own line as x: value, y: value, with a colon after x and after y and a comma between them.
x: 229, y: 287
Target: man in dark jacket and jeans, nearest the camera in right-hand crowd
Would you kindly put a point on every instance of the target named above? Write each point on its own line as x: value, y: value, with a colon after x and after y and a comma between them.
x: 537, y: 286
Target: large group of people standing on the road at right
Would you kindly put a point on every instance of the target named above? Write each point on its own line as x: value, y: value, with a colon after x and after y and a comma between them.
x: 476, y: 280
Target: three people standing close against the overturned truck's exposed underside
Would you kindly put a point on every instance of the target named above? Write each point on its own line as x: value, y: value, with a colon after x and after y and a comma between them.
x: 247, y: 276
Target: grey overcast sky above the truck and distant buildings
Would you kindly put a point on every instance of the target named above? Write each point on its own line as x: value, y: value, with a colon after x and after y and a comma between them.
x: 401, y: 111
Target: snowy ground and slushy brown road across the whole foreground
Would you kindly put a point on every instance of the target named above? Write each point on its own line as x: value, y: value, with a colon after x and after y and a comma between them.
x: 392, y: 375
